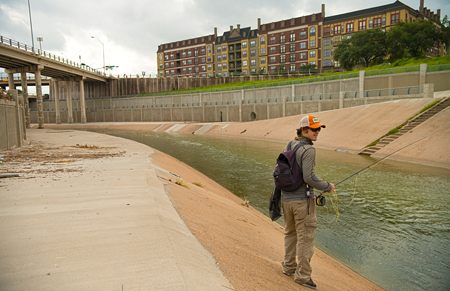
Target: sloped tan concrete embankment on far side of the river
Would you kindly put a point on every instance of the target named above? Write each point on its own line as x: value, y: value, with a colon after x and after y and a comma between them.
x: 348, y: 130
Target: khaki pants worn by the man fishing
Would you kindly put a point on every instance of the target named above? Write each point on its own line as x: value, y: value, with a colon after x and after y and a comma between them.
x: 299, y: 234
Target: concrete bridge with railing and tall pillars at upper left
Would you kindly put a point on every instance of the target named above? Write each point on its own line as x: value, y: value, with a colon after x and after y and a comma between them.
x: 16, y: 57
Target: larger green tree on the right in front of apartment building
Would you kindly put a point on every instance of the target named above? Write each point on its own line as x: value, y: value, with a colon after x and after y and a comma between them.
x: 413, y: 39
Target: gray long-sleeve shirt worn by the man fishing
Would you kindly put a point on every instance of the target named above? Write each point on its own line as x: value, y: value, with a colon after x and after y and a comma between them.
x: 306, y: 159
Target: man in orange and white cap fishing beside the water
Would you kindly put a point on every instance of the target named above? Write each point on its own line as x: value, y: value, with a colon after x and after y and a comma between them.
x: 299, y: 206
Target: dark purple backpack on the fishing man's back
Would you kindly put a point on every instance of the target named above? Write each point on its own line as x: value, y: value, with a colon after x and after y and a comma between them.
x: 287, y: 175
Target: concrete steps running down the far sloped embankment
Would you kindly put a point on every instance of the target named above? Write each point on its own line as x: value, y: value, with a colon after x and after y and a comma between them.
x: 410, y: 125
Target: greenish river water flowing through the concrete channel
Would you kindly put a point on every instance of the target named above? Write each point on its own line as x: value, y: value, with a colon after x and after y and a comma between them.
x: 396, y: 232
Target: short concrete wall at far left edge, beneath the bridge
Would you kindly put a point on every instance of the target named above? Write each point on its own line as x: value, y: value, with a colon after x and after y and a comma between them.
x: 12, y: 123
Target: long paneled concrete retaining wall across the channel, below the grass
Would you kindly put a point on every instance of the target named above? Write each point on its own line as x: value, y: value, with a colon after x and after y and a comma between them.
x: 238, y: 110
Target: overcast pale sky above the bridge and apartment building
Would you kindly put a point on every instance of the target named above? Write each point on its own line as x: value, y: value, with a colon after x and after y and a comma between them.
x: 132, y: 30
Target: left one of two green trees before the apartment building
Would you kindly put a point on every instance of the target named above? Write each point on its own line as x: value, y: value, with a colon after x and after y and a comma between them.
x: 365, y: 47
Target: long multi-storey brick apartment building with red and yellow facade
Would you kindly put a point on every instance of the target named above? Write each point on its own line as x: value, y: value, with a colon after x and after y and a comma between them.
x: 282, y: 46
